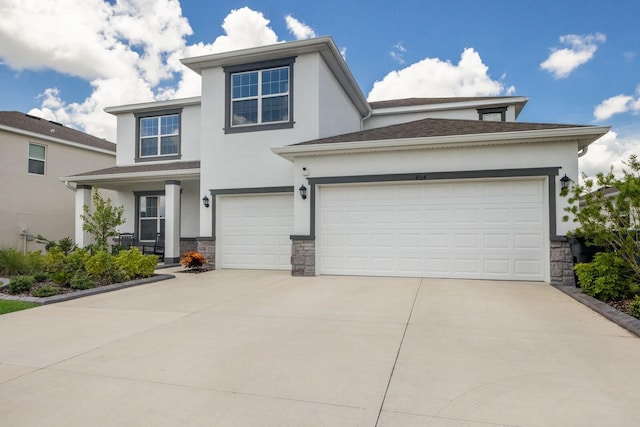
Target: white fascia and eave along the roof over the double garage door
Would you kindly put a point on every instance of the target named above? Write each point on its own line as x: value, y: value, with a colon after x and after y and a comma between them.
x: 583, y: 135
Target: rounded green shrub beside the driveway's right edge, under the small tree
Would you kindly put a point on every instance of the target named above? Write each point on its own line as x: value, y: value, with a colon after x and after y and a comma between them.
x: 607, y: 278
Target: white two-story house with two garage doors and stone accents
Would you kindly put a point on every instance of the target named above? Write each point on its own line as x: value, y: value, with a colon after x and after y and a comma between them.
x: 283, y: 164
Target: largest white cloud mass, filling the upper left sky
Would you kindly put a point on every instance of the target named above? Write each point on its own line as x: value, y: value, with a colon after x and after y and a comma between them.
x: 129, y: 51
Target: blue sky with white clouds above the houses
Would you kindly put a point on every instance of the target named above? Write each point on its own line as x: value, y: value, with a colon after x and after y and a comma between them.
x: 578, y: 61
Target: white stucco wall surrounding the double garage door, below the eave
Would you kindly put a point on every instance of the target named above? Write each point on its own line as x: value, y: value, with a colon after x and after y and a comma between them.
x: 517, y: 156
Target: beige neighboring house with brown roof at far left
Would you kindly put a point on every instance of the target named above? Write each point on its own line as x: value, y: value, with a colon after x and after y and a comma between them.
x: 34, y: 154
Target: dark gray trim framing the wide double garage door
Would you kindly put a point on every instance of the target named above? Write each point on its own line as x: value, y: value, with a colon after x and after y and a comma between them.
x: 549, y: 172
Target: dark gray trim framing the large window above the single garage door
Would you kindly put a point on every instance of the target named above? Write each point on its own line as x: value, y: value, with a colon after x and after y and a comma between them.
x: 256, y: 66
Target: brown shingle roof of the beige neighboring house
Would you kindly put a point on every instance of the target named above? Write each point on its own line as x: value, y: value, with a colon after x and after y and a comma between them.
x: 25, y: 122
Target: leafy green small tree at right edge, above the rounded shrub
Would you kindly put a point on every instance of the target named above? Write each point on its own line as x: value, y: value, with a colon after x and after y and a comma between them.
x: 610, y: 218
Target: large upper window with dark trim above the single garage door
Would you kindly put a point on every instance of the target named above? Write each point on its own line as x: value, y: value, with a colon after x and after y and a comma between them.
x: 259, y: 96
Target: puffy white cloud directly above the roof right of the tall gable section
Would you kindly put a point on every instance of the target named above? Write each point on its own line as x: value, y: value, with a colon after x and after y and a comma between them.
x: 433, y: 77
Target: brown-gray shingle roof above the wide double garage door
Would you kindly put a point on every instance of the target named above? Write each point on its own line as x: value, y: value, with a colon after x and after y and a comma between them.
x: 426, y: 128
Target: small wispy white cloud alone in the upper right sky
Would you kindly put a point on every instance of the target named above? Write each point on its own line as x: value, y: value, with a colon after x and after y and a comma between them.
x: 561, y: 62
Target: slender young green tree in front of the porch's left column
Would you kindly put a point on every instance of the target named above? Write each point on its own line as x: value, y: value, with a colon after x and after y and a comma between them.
x: 102, y: 222
